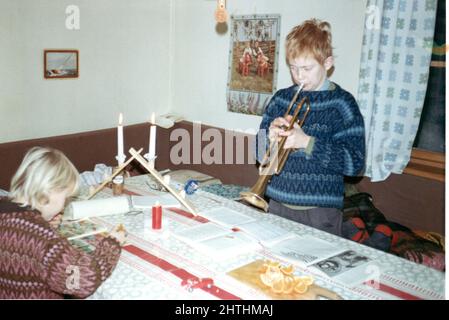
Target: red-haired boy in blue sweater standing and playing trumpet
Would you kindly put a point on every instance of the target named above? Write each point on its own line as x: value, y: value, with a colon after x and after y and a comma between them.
x: 330, y: 144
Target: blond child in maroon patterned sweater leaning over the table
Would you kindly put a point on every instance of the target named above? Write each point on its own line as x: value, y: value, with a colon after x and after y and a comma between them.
x: 35, y: 261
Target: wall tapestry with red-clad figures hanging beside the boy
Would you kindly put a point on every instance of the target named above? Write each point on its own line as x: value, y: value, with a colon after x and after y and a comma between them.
x: 253, y: 62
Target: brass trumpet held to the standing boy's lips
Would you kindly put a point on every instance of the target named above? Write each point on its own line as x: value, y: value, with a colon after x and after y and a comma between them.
x: 274, y: 159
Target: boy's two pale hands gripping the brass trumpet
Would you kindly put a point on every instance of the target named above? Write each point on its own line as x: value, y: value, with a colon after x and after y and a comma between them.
x: 296, y: 138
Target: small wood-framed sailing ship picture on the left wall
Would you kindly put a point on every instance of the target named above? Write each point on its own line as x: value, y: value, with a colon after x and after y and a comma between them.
x: 61, y: 63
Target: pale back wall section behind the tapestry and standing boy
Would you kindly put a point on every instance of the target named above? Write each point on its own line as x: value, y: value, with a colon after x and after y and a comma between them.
x: 201, y: 54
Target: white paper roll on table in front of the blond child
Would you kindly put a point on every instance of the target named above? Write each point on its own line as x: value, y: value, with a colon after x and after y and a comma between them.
x: 96, y: 208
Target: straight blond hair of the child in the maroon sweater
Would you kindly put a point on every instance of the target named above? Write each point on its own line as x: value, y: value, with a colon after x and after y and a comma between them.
x: 42, y: 171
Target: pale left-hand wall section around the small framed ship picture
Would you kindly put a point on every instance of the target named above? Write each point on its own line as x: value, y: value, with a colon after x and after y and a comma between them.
x: 124, y: 52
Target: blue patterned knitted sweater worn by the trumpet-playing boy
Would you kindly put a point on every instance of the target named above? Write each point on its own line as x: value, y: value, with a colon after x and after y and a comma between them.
x: 316, y: 179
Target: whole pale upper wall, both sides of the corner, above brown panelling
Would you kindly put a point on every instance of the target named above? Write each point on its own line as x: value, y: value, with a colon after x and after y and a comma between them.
x: 142, y: 56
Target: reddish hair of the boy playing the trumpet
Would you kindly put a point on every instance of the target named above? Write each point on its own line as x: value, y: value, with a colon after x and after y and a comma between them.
x: 313, y: 37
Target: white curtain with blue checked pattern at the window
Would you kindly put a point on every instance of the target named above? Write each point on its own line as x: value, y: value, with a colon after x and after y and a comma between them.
x: 396, y: 53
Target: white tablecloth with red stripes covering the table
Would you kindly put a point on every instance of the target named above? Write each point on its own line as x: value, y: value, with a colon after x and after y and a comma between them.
x: 159, y: 266
